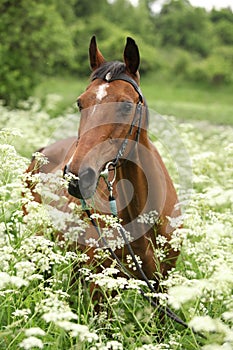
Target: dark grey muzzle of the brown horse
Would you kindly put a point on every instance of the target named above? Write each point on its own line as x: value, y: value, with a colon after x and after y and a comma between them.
x: 82, y: 186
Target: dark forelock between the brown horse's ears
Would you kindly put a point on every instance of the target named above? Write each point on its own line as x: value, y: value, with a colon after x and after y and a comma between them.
x: 115, y: 68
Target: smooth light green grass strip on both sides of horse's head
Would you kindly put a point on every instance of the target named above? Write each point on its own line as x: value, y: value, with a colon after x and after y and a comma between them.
x: 182, y: 99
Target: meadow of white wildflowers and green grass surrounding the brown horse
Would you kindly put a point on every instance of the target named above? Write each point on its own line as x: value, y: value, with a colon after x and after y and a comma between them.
x: 41, y: 308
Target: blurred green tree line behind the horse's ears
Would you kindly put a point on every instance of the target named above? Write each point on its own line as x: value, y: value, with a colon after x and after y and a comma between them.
x: 51, y: 37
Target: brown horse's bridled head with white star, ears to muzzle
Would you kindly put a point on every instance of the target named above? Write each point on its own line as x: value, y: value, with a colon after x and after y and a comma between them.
x: 110, y: 114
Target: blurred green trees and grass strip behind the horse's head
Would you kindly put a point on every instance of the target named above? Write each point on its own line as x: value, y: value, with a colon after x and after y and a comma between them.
x: 186, y: 52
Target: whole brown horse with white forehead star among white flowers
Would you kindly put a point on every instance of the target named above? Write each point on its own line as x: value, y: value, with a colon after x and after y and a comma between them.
x: 113, y: 155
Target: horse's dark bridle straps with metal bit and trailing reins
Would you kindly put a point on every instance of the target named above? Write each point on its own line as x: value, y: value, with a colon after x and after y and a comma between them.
x: 113, y: 207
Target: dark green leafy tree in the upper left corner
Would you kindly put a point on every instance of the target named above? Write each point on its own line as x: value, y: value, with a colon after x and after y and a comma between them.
x: 30, y: 46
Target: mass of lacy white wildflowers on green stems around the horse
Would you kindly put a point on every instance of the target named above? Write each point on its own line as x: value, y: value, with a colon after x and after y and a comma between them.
x: 44, y: 294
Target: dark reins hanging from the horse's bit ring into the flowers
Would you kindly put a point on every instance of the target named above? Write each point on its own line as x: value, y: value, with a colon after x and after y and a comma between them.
x: 113, y: 207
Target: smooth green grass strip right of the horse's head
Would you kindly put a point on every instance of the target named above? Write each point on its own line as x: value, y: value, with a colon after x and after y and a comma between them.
x: 188, y: 101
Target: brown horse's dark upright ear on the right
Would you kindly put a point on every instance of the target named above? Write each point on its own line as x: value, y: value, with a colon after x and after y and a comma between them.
x: 131, y: 56
